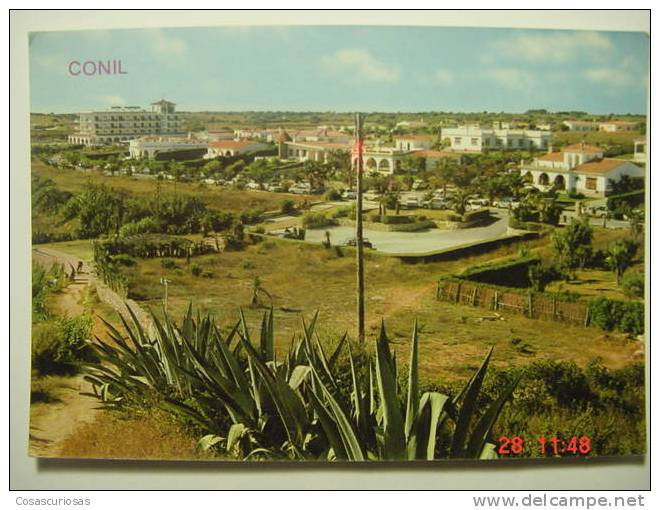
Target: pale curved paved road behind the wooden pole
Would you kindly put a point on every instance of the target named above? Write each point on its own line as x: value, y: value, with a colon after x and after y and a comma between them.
x: 416, y: 242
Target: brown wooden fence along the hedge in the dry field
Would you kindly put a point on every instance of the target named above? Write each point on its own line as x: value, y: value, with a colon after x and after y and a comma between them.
x: 532, y: 305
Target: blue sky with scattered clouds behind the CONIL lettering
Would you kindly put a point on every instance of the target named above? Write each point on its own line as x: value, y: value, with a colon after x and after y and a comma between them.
x: 345, y: 69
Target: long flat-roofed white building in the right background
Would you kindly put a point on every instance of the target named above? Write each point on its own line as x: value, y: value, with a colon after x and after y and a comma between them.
x: 476, y: 139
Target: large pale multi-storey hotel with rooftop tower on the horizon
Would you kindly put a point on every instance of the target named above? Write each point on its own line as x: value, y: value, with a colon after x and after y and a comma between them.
x: 123, y: 123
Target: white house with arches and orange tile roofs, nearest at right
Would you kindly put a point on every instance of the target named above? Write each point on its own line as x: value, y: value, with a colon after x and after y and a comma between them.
x: 578, y: 168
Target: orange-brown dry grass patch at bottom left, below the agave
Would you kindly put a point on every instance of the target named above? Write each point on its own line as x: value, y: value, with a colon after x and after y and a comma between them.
x: 153, y: 435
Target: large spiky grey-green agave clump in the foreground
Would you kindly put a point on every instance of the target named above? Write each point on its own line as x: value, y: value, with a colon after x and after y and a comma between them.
x: 255, y: 406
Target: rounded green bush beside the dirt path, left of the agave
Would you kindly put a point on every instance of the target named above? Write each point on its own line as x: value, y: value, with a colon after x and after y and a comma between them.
x: 59, y: 345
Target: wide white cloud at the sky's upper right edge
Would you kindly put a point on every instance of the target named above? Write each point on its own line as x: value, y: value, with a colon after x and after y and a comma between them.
x: 555, y: 48
